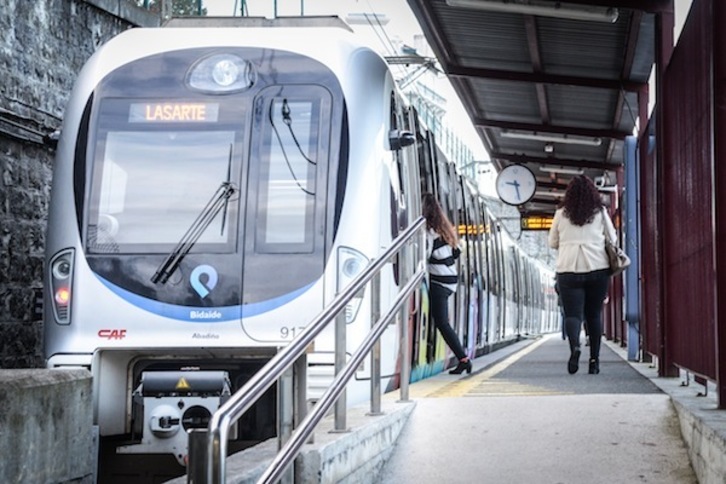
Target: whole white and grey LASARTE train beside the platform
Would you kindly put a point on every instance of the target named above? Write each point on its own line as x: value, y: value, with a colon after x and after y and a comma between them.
x: 216, y: 183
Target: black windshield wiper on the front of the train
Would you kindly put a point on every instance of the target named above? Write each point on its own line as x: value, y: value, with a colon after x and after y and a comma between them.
x: 218, y: 202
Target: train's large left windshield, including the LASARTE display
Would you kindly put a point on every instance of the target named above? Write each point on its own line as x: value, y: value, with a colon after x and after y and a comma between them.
x: 156, y: 170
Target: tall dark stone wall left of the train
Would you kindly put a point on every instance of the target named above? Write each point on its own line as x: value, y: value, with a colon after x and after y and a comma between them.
x: 43, y: 46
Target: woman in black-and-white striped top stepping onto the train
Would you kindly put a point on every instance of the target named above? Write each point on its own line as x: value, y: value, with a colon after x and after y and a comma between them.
x: 442, y: 249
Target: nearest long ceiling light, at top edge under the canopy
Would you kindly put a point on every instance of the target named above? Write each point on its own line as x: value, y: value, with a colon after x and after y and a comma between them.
x: 542, y: 9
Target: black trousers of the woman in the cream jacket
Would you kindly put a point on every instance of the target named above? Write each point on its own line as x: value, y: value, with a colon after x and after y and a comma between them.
x: 582, y: 296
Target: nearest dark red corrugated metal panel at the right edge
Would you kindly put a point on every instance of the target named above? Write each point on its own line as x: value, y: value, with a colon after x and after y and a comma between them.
x: 687, y: 205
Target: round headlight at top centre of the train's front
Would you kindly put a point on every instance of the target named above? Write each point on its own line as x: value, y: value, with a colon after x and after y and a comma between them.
x: 222, y: 74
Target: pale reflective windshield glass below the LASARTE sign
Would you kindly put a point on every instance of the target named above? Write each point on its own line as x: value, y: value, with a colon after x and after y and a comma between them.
x: 149, y: 187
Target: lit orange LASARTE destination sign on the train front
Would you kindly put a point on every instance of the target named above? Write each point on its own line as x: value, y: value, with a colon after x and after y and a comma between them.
x: 173, y: 112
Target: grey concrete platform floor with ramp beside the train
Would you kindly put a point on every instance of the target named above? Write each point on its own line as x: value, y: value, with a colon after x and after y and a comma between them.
x: 526, y: 420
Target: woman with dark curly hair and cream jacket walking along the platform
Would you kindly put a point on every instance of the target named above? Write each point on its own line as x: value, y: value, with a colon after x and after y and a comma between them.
x: 583, y: 272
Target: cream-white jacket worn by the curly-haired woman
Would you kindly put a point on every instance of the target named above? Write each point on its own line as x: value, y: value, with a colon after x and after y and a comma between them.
x: 580, y: 248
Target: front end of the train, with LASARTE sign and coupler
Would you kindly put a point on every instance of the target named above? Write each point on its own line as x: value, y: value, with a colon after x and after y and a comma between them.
x: 193, y: 210
